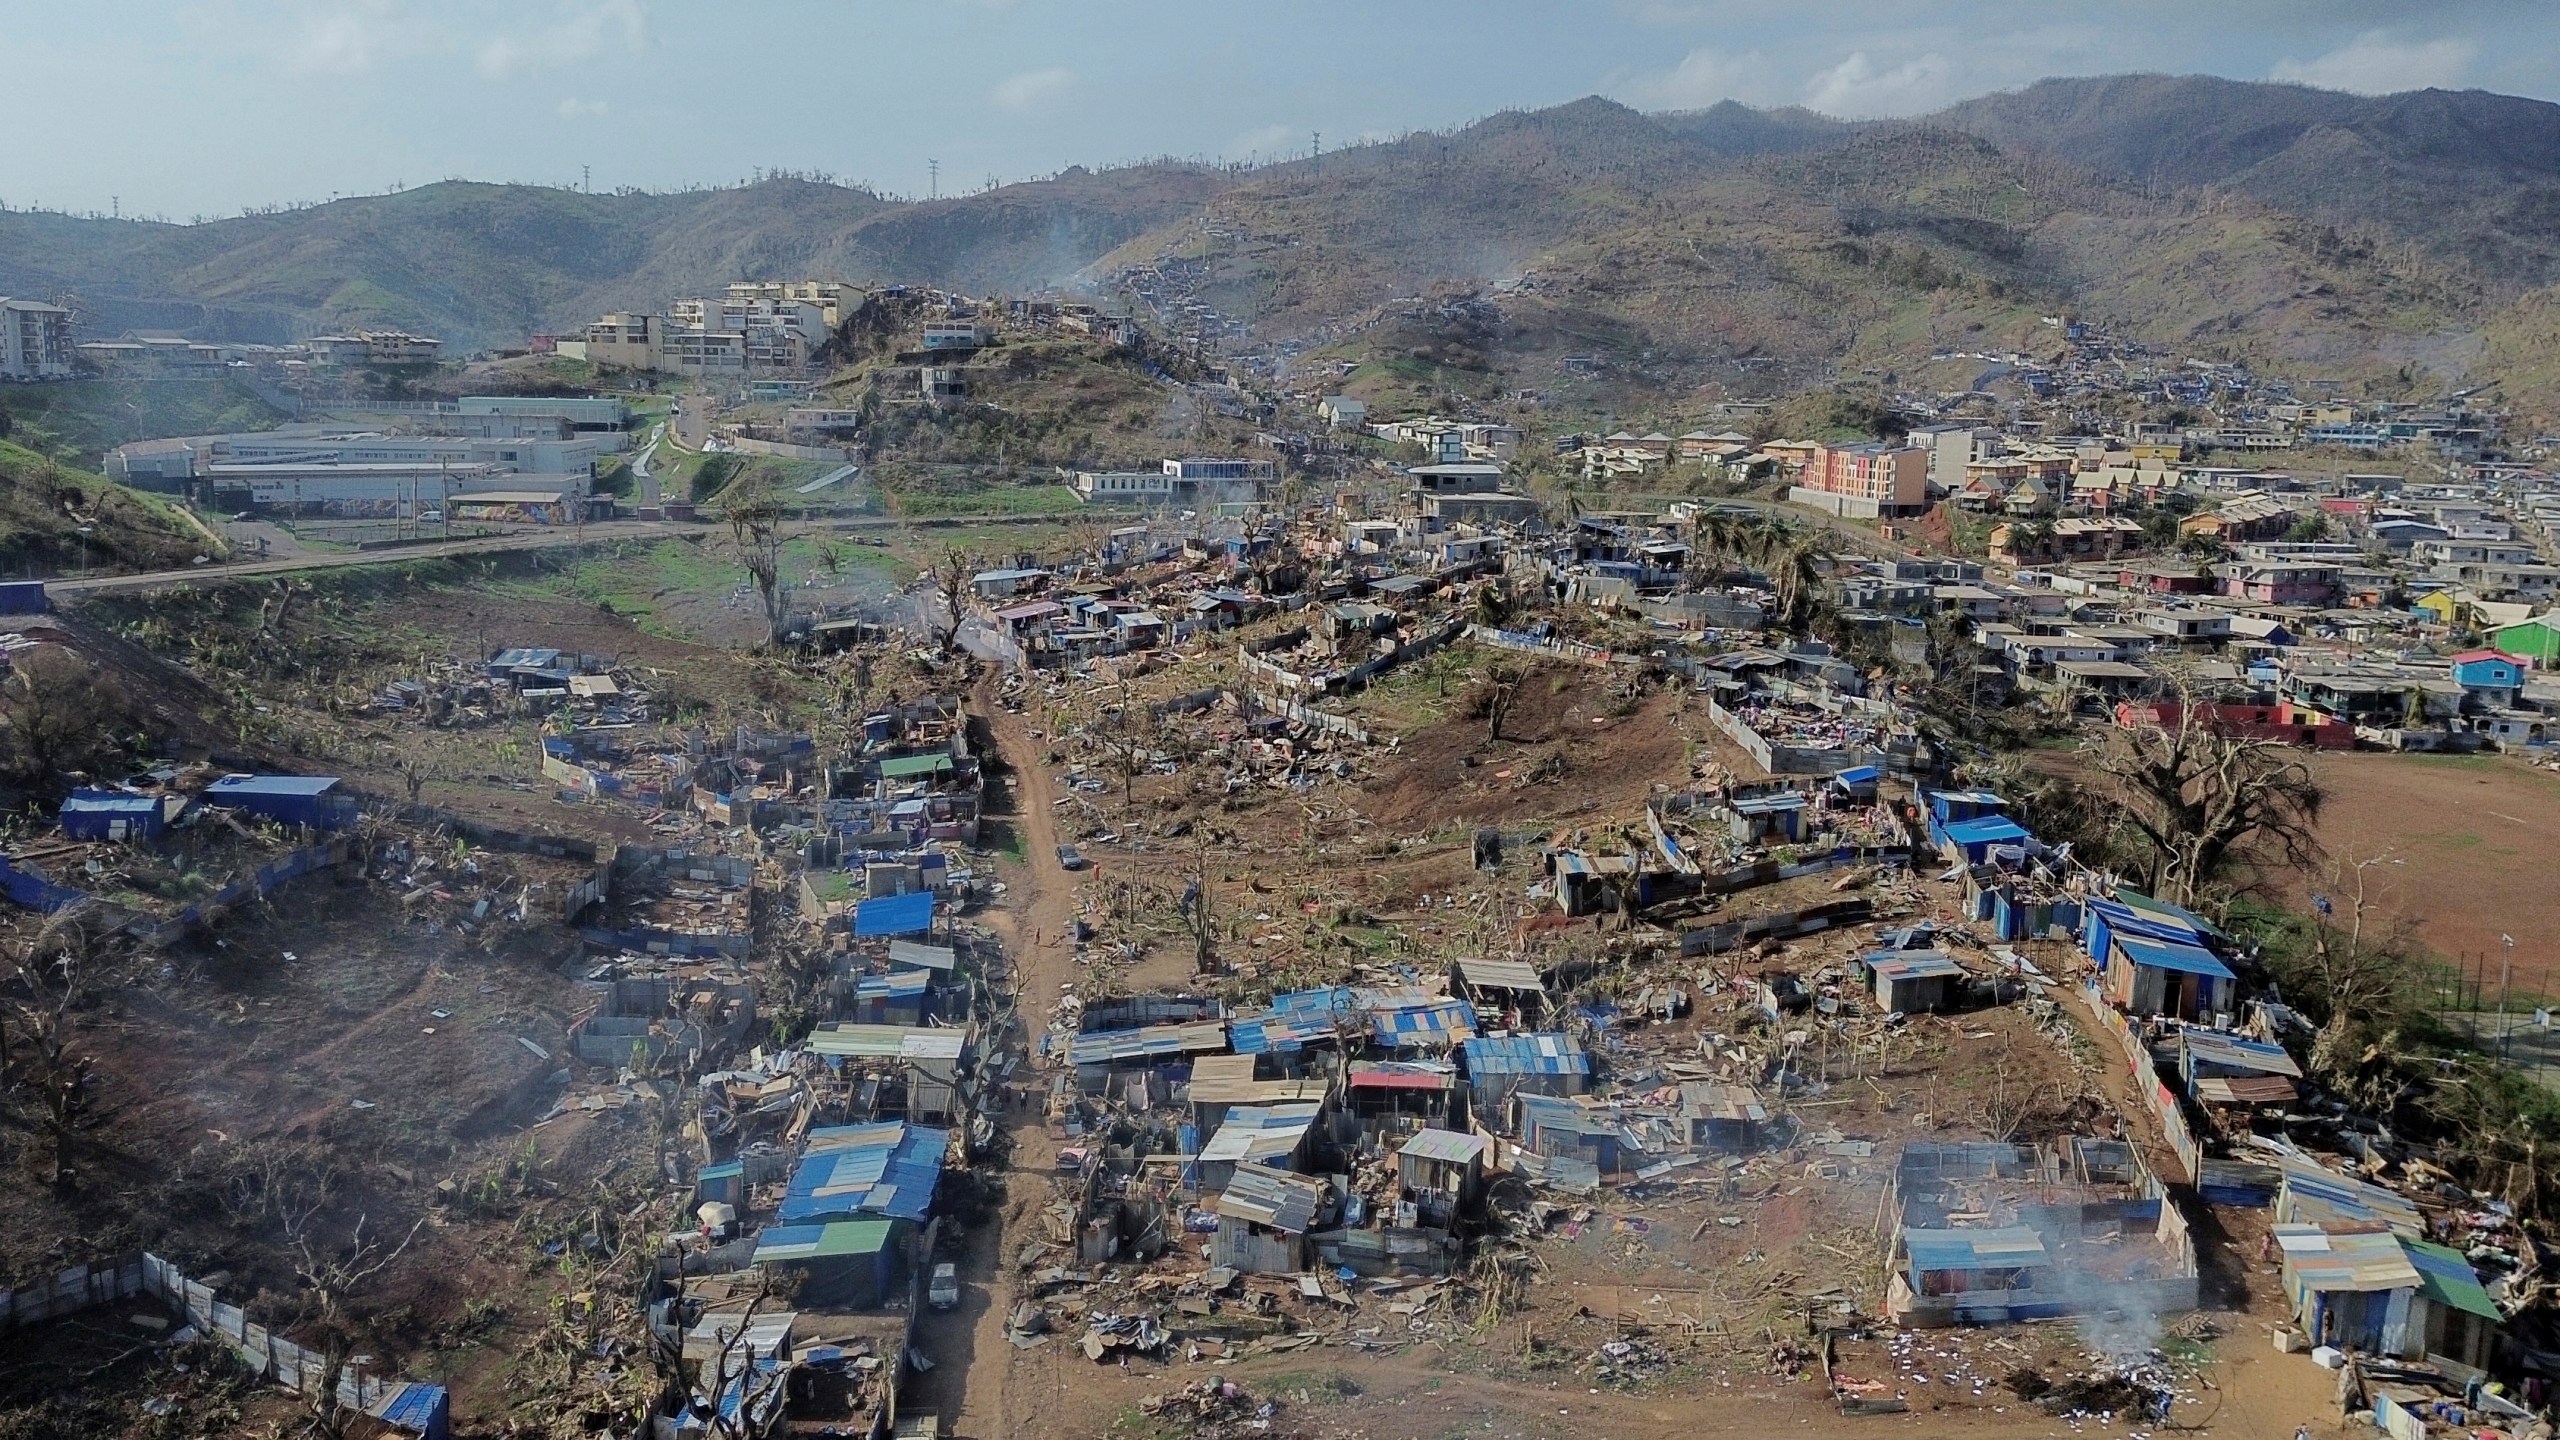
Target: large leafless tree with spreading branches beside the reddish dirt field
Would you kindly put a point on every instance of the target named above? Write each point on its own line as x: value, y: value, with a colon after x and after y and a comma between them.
x: 2195, y: 796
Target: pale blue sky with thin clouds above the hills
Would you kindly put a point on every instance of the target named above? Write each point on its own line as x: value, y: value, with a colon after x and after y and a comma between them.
x: 183, y: 109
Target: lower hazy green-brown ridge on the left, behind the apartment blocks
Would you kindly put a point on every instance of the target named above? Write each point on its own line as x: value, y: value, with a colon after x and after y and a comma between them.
x: 485, y: 265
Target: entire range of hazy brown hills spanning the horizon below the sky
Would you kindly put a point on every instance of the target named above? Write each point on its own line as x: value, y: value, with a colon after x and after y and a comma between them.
x: 2395, y: 240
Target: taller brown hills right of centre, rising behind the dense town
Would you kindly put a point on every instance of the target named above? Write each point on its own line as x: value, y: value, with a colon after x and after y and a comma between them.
x: 1471, y: 268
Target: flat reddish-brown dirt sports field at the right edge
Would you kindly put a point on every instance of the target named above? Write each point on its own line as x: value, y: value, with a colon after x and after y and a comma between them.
x: 2472, y: 842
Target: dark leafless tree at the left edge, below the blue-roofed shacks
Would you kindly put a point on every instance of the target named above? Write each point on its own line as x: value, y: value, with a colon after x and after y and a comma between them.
x: 45, y: 988
